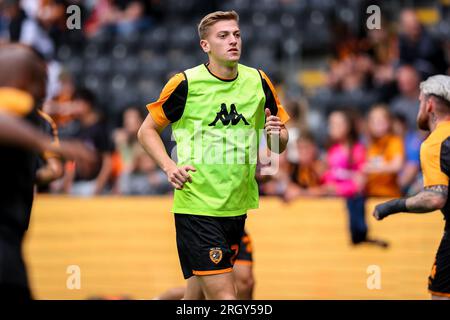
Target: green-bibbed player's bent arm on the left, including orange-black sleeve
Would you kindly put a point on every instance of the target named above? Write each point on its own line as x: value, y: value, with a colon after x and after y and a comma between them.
x: 167, y: 109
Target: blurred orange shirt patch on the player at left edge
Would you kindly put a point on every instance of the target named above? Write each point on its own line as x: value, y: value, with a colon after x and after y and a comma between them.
x: 15, y: 102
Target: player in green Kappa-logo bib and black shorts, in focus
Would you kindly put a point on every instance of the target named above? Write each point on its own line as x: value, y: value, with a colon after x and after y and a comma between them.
x: 213, y: 109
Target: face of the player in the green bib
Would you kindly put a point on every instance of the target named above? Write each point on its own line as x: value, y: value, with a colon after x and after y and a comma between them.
x: 223, y: 42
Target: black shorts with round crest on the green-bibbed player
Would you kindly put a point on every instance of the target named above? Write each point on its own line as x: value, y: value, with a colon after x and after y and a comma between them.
x: 208, y: 245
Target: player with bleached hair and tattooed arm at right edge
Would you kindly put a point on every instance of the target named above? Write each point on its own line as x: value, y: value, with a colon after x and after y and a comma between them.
x: 434, y: 115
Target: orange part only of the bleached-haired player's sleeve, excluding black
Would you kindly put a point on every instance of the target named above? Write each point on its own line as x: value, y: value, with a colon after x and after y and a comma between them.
x: 430, y: 160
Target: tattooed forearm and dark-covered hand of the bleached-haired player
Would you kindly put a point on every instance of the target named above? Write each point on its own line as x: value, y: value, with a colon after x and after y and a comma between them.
x: 430, y: 199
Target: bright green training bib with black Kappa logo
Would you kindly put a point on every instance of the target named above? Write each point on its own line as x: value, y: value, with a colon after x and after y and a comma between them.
x: 219, y: 134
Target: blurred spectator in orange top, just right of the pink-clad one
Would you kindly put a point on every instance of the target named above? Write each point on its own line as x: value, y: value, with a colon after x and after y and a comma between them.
x: 385, y: 155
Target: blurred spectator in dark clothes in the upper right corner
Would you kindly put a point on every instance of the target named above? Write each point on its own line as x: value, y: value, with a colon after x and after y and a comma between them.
x: 418, y: 48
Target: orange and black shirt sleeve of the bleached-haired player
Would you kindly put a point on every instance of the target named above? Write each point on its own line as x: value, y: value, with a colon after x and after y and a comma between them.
x: 434, y: 158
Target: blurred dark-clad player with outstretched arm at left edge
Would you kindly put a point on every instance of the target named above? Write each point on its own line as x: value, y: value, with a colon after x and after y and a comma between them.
x: 22, y: 89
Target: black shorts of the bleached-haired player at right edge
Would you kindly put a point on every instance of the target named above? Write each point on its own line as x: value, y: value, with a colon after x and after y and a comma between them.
x: 439, y: 280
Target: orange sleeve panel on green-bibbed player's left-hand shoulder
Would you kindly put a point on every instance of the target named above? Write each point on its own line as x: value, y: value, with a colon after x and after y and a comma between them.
x: 156, y: 108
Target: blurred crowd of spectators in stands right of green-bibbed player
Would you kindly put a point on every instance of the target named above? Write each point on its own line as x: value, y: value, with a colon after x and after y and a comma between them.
x: 370, y: 102
